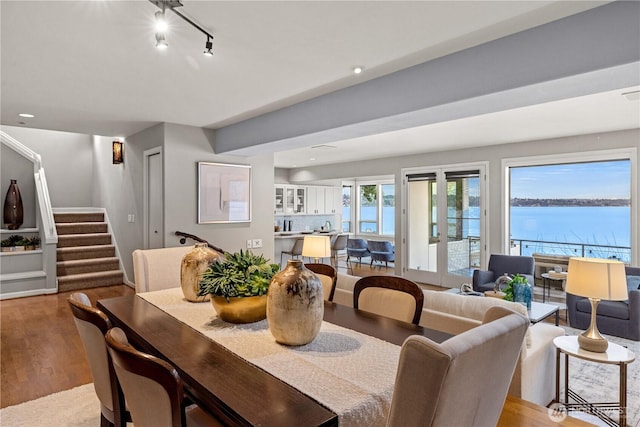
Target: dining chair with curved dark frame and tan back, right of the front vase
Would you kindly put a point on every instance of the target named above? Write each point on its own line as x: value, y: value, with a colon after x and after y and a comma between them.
x: 390, y: 296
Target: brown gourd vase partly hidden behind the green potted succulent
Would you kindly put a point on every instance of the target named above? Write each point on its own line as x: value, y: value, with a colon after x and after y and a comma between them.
x: 193, y: 265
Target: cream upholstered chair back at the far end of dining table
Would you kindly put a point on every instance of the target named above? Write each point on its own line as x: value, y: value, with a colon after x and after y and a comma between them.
x: 156, y: 269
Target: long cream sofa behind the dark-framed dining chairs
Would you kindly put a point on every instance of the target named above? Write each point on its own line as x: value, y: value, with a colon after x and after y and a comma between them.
x: 534, y: 378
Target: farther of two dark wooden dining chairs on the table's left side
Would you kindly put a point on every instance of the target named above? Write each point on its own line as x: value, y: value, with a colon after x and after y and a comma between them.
x: 92, y: 324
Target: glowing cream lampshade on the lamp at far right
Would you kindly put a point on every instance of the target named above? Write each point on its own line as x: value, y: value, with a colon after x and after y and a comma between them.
x: 603, y: 279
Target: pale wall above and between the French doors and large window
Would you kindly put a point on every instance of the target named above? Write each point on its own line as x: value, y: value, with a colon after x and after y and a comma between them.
x: 494, y: 155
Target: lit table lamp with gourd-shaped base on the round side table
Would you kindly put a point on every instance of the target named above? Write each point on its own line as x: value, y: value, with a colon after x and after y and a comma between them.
x: 596, y: 279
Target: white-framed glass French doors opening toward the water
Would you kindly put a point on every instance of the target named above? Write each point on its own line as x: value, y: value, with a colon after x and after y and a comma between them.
x: 443, y: 221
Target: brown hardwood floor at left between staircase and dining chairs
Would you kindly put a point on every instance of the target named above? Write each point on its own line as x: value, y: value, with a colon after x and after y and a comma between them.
x: 41, y: 352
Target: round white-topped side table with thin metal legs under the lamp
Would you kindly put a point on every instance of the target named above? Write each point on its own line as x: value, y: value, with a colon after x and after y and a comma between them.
x: 615, y: 355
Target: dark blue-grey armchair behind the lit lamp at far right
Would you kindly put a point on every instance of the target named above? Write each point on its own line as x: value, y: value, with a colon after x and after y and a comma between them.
x: 618, y: 318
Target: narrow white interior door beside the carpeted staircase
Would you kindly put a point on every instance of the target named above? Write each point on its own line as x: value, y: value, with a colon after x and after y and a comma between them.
x: 154, y: 199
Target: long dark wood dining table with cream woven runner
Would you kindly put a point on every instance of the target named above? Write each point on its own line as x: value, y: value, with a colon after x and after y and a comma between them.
x: 242, y: 376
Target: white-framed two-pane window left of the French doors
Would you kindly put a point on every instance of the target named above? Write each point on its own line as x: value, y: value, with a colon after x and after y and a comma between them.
x: 376, y: 208
